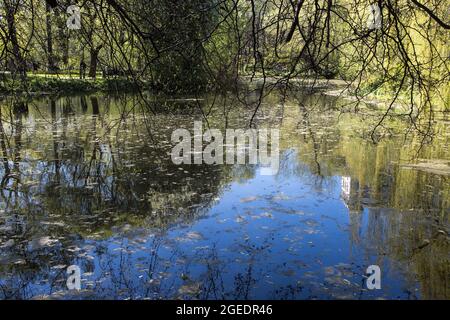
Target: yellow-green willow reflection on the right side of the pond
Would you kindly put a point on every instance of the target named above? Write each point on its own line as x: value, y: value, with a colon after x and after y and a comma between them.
x: 415, y: 231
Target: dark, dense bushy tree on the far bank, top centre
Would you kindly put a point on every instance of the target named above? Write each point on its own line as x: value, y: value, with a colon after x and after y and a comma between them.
x: 184, y: 24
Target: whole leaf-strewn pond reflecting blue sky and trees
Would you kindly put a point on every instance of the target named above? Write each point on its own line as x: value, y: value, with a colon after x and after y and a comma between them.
x: 89, y: 181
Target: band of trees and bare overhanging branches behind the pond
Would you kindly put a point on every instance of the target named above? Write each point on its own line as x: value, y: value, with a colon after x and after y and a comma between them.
x: 199, y: 45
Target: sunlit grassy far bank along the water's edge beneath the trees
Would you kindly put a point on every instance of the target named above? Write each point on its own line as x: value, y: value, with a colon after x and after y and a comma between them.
x: 42, y: 86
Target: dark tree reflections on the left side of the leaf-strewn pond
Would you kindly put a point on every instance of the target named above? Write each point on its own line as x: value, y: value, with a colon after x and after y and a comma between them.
x: 83, y: 176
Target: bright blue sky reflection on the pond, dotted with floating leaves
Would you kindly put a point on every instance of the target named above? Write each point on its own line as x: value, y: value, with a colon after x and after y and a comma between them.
x: 284, y: 238
